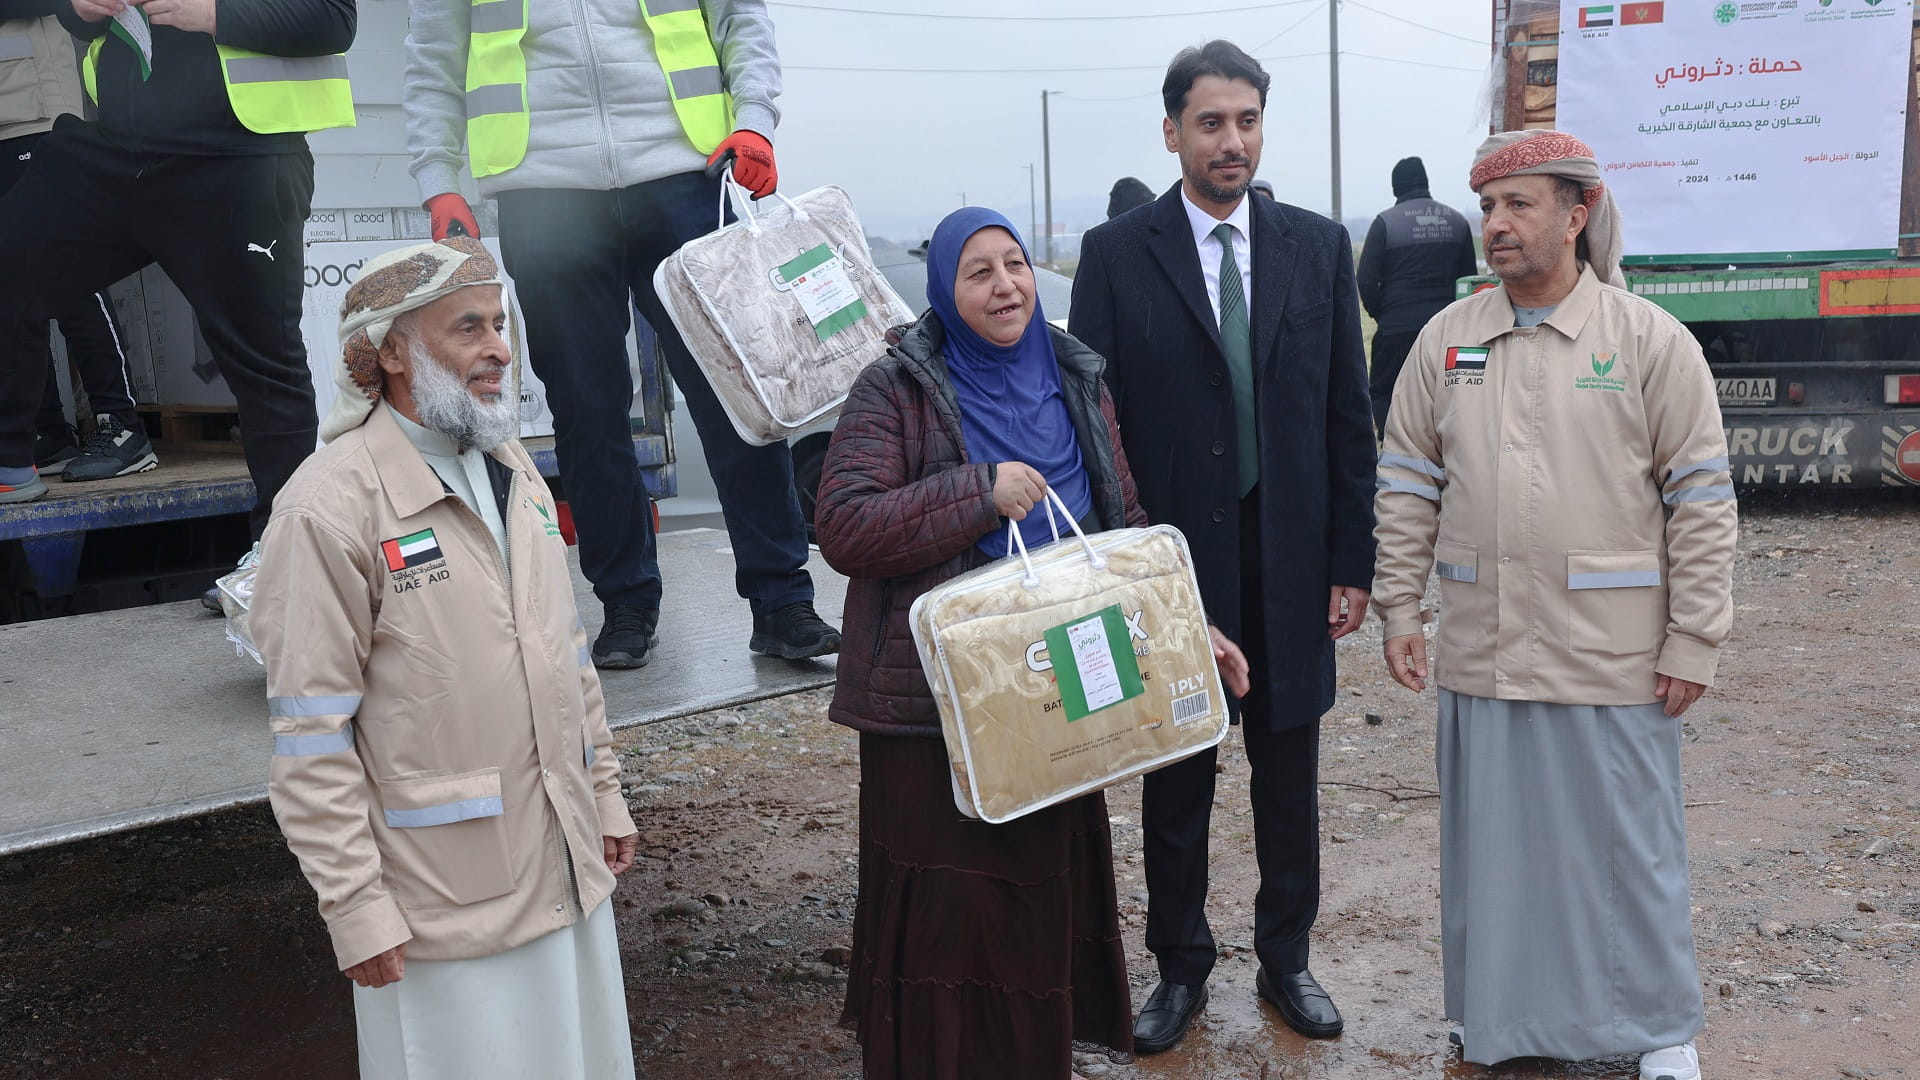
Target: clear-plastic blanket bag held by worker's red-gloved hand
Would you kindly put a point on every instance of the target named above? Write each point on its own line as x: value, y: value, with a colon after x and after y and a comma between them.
x: 780, y: 308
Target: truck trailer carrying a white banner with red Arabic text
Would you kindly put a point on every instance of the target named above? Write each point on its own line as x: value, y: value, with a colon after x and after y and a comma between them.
x: 1767, y: 162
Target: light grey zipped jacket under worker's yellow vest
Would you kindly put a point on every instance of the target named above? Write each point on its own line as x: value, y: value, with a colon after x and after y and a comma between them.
x: 602, y: 118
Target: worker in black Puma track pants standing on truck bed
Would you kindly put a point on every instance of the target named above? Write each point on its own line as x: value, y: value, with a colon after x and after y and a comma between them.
x: 199, y: 162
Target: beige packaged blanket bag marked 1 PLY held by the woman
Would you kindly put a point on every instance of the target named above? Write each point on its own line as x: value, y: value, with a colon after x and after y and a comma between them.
x: 1070, y: 670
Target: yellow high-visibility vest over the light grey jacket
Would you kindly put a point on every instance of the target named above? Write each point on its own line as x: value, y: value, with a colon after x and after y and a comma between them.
x: 498, y: 120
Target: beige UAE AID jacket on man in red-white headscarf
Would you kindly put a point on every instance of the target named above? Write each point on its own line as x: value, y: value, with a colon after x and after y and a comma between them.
x: 1570, y: 487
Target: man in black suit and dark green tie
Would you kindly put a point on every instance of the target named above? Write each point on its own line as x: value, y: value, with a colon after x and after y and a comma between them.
x: 1232, y: 331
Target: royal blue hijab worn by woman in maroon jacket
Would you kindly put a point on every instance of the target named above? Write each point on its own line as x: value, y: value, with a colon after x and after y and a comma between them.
x: 1011, y: 403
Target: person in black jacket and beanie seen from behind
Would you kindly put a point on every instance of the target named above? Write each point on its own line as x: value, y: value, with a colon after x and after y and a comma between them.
x: 1414, y: 257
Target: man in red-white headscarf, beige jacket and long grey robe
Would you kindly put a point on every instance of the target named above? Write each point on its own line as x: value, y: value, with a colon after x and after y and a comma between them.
x: 1556, y: 458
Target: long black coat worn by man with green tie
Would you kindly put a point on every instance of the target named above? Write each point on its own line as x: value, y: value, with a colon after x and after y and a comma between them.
x: 1141, y: 303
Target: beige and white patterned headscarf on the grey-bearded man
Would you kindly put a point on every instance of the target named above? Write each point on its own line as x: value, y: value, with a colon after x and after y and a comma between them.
x: 389, y: 287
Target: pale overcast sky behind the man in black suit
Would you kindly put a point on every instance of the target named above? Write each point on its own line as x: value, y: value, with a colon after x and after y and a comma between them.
x: 911, y: 109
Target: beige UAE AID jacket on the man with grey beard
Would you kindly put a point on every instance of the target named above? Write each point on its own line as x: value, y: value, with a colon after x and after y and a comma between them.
x: 441, y: 750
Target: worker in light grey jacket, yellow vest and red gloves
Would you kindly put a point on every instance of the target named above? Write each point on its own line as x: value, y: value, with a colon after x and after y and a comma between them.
x: 592, y: 126
